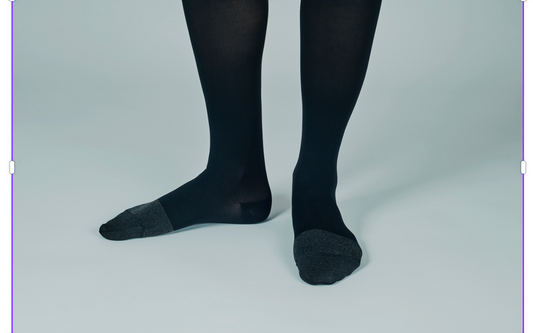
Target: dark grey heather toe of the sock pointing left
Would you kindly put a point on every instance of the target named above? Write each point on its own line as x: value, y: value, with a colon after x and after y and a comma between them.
x: 144, y: 220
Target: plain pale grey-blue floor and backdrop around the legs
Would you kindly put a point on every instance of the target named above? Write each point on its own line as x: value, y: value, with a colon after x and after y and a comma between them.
x: 429, y: 176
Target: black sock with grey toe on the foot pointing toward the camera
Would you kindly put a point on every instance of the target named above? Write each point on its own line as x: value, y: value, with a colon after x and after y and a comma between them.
x: 336, y: 39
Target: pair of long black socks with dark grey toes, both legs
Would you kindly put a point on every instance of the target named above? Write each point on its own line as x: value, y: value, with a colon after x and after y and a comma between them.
x: 227, y: 37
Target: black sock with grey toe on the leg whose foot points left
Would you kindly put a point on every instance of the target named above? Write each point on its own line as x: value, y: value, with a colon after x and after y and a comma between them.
x: 227, y: 38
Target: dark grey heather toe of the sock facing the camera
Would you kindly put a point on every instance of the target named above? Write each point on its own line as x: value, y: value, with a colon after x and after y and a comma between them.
x: 323, y: 257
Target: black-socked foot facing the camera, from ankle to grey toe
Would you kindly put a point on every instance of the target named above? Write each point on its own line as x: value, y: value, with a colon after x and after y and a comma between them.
x: 325, y: 250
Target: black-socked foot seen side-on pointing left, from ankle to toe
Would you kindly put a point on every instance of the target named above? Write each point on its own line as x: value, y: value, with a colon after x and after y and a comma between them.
x: 208, y: 198
